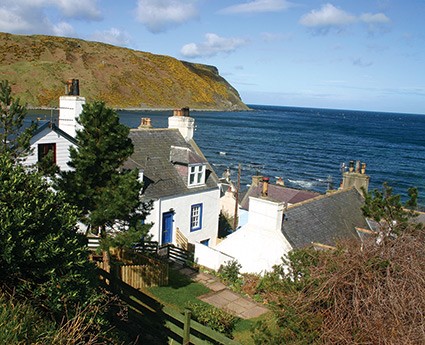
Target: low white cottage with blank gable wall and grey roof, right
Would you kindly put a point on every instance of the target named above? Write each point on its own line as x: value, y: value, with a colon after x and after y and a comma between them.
x: 273, y: 229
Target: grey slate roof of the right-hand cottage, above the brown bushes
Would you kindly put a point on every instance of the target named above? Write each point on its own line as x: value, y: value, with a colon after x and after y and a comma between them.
x: 324, y: 219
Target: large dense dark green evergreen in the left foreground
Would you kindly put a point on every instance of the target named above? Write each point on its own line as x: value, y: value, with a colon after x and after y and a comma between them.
x: 42, y: 255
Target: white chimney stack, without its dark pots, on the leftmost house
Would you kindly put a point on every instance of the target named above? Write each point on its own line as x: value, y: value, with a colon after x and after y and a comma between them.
x: 70, y: 108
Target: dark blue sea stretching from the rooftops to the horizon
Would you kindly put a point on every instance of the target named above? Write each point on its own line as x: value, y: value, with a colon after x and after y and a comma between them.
x: 307, y: 147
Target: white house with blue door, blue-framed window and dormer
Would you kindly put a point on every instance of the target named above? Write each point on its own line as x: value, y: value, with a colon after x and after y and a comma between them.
x: 178, y: 179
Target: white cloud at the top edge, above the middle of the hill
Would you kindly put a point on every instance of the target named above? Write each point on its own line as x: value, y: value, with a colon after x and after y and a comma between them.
x: 161, y: 15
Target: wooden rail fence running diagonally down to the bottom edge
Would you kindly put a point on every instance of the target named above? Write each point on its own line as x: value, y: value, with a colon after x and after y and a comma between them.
x: 167, y: 324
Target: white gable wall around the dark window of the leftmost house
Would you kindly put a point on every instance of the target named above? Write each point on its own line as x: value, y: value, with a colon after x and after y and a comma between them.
x: 48, y: 136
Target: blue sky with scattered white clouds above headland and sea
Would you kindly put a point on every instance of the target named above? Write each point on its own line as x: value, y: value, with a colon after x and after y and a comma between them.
x: 341, y: 54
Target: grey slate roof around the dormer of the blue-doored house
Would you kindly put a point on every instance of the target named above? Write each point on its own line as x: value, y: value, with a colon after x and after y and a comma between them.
x: 162, y: 177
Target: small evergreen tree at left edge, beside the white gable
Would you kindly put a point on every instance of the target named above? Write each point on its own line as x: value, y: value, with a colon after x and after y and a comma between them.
x: 15, y: 141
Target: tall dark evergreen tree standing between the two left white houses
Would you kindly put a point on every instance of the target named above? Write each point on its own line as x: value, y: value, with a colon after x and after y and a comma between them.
x: 105, y: 194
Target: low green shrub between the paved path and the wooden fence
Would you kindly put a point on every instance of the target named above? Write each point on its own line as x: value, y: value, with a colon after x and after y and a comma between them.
x: 217, y: 319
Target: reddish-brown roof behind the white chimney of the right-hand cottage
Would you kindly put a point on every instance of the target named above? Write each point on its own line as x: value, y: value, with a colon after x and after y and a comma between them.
x: 278, y: 193
